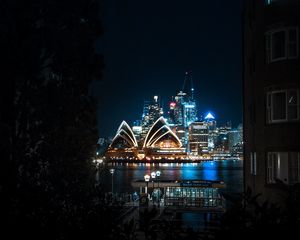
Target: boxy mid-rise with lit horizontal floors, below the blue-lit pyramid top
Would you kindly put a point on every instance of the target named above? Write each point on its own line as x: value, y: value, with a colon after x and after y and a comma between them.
x: 198, y: 138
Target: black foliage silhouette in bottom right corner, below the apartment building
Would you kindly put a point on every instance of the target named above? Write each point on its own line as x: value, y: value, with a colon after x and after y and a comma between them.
x: 249, y: 217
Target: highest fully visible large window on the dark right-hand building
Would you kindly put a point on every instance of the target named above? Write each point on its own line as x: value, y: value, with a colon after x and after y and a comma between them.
x: 282, y: 44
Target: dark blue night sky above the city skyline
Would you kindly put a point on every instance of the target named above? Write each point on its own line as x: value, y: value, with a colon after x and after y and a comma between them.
x: 148, y: 46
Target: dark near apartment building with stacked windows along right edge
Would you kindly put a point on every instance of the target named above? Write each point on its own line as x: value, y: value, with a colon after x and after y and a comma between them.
x: 271, y: 96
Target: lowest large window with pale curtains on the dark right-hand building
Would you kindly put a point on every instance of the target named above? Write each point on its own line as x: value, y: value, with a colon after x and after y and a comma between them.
x: 283, y: 166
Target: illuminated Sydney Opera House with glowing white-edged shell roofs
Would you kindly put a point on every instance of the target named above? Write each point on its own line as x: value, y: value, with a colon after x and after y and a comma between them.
x: 160, y: 142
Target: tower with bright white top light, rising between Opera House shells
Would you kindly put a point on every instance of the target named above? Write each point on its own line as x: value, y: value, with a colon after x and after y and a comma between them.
x: 152, y: 111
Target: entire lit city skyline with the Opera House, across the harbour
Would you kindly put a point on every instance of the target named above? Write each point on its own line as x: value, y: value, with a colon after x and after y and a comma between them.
x: 179, y: 136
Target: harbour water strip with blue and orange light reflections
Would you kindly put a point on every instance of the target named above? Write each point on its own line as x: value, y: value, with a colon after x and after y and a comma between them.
x: 229, y: 171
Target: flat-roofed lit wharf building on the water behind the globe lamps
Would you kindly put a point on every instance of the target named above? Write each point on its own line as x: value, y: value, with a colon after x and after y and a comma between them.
x: 194, y: 195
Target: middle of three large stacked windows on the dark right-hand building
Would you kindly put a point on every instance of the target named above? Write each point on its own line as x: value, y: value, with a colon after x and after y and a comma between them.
x: 283, y: 106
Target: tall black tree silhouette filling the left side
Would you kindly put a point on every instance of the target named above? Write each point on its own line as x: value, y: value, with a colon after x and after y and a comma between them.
x: 48, y: 120
